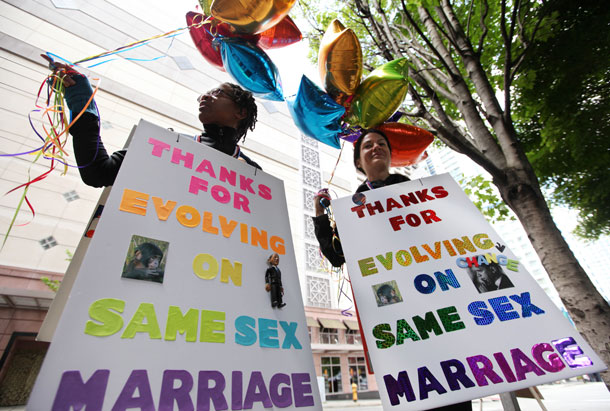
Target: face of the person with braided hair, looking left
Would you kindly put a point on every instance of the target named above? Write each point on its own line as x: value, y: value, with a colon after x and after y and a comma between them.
x: 217, y: 107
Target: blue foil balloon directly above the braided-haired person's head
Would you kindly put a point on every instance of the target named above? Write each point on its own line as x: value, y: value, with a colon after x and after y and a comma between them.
x: 251, y: 68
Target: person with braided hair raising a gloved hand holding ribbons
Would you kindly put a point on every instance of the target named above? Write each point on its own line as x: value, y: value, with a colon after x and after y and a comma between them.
x: 226, y: 112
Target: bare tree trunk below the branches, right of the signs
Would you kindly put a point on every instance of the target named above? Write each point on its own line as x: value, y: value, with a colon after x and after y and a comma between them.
x: 588, y: 309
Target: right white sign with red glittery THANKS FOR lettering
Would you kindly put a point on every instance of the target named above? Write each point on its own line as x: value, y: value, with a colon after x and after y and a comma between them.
x: 448, y: 312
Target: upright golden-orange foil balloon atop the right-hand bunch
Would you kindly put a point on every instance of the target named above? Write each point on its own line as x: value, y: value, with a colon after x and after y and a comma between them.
x: 340, y: 61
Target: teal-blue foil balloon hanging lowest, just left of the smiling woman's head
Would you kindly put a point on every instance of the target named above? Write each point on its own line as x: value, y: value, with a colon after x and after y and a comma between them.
x: 316, y: 114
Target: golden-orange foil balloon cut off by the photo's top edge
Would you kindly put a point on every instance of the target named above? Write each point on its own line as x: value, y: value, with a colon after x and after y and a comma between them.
x: 251, y: 16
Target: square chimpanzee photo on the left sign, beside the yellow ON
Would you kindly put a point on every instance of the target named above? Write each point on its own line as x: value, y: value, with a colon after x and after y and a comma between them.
x: 146, y: 258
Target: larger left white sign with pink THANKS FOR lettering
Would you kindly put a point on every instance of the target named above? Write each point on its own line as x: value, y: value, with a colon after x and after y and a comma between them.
x: 169, y: 309
